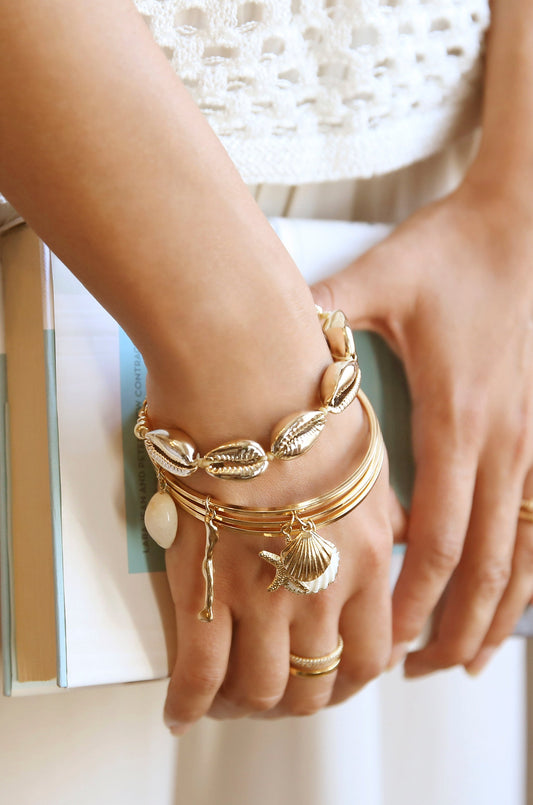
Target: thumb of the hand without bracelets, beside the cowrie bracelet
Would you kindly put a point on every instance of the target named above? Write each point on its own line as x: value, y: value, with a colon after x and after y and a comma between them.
x: 366, y: 290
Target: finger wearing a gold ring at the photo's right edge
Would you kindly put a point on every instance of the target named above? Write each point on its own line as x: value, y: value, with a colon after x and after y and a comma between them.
x: 517, y: 596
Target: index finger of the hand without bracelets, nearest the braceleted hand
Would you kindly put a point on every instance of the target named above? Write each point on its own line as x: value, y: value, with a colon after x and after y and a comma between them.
x: 440, y: 513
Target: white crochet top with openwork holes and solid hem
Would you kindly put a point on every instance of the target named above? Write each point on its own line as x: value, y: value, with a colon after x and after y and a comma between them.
x: 314, y: 90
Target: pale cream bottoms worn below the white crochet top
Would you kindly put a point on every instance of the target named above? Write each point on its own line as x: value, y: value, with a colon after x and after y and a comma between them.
x: 445, y: 740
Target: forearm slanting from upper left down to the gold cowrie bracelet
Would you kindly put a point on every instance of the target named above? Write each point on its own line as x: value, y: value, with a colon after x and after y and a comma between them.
x: 108, y: 158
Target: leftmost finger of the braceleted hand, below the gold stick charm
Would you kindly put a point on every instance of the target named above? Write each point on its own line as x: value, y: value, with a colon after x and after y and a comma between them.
x: 203, y: 654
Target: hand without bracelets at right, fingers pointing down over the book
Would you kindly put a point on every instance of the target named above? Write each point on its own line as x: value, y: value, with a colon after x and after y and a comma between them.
x: 452, y: 292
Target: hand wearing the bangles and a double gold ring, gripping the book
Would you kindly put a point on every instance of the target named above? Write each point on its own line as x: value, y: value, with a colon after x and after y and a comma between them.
x: 238, y: 664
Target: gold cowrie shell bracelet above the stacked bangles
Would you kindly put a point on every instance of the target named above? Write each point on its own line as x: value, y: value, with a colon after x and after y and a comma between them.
x: 175, y: 452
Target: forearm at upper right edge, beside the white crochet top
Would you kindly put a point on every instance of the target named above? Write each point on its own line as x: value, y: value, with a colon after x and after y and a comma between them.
x: 505, y: 160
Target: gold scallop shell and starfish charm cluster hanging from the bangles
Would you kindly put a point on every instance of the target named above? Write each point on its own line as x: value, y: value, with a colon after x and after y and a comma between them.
x: 308, y: 563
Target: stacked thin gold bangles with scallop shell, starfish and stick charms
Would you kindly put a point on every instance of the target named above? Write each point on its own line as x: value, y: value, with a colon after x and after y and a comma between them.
x: 308, y: 563
